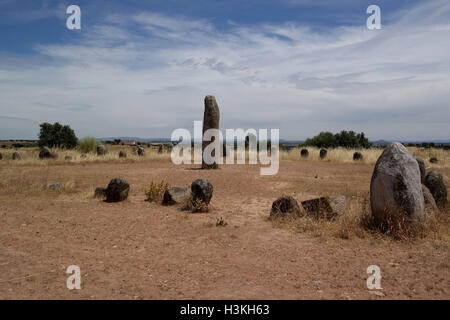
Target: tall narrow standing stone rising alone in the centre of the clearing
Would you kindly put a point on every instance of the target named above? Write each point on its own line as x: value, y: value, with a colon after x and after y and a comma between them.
x: 211, y: 118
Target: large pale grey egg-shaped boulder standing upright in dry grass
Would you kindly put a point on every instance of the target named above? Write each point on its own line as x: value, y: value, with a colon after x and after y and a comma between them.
x: 395, y: 187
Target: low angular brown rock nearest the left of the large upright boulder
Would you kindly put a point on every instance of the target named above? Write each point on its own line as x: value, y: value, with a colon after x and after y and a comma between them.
x: 325, y: 207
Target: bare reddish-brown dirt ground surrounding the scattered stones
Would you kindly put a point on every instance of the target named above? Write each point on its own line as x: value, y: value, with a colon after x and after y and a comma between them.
x: 141, y: 250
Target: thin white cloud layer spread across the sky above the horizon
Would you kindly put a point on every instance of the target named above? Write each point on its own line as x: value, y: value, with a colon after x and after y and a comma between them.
x: 147, y: 74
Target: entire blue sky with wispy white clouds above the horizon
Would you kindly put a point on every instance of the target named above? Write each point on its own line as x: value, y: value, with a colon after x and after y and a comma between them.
x: 142, y: 68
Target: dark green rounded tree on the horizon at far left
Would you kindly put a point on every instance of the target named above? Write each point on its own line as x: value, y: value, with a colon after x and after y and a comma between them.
x: 57, y: 135
